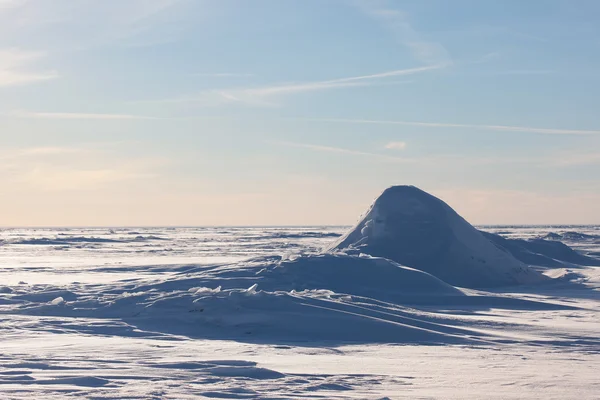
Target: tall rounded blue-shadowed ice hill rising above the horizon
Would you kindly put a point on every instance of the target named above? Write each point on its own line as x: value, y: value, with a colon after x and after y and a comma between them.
x: 416, y: 229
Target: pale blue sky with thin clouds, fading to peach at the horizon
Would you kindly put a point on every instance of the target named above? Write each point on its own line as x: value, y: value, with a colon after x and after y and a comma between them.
x: 296, y: 112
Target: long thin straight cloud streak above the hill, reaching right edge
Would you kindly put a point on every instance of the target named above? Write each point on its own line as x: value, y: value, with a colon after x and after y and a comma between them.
x: 500, y: 128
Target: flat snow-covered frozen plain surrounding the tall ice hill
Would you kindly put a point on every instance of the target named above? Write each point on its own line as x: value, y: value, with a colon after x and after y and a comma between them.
x: 235, y: 313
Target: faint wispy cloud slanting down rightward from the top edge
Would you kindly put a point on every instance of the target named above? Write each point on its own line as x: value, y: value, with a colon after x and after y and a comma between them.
x: 397, y: 22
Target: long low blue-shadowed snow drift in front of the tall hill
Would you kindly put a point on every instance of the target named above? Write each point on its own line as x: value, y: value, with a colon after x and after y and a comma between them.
x: 309, y: 299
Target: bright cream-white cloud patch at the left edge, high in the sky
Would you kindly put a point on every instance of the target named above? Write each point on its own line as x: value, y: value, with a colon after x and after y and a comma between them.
x: 15, y: 67
